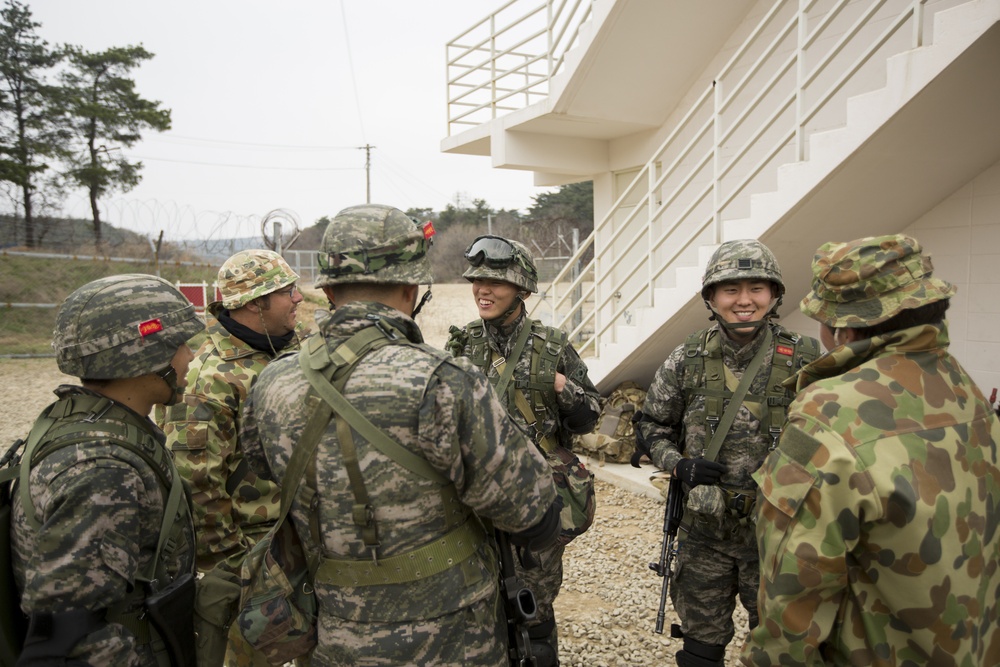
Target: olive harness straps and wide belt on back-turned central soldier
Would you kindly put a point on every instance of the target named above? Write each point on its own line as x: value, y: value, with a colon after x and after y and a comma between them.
x: 465, y: 534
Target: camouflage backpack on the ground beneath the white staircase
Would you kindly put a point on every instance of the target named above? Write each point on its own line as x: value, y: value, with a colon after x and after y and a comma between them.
x: 613, y: 438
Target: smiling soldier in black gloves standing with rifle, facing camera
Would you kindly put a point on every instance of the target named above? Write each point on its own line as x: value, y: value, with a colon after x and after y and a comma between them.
x: 698, y: 427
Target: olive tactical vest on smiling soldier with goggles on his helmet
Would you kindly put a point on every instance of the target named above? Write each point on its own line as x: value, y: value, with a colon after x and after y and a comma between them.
x: 547, y: 345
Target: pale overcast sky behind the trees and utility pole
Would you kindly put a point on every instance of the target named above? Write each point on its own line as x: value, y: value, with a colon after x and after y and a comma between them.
x: 271, y: 99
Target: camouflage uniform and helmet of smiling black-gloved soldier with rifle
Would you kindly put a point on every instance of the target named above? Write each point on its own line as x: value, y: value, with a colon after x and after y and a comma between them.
x: 718, y: 561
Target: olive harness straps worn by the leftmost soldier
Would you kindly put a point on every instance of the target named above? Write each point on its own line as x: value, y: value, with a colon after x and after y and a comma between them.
x: 81, y: 418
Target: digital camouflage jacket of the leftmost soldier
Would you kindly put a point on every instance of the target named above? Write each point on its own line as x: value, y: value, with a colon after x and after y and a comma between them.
x: 101, y: 507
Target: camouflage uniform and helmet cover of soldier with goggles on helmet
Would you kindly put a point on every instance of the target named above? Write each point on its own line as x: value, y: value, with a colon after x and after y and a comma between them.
x: 574, y: 410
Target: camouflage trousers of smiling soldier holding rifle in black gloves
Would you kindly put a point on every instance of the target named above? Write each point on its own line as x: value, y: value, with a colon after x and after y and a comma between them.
x: 709, y: 574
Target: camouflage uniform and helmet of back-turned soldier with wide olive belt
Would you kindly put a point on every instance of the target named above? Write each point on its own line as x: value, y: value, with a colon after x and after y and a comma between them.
x: 439, y: 408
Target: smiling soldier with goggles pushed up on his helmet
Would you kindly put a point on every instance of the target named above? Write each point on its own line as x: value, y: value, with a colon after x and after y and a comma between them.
x: 547, y: 393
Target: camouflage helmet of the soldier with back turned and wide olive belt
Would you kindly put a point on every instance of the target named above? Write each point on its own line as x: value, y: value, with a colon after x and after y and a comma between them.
x: 373, y: 243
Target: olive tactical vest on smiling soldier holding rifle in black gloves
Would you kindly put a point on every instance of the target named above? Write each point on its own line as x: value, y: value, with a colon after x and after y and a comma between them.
x: 705, y: 375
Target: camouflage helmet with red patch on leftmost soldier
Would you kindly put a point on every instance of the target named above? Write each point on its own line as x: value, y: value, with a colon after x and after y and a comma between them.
x: 122, y: 327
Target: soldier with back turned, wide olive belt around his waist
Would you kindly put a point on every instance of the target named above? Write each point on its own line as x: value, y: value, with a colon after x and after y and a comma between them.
x: 375, y: 514
